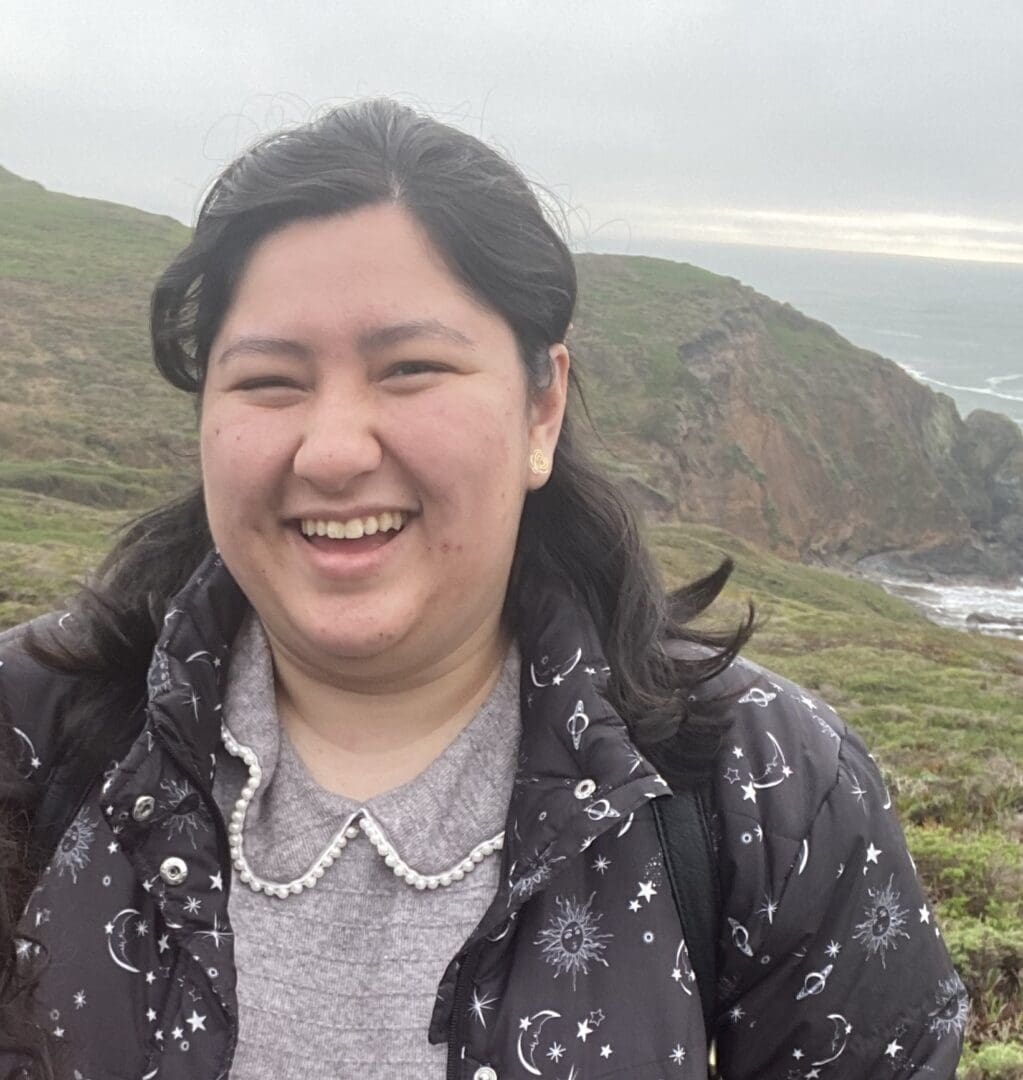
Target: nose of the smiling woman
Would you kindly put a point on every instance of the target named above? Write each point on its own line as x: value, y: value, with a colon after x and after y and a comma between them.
x: 339, y: 442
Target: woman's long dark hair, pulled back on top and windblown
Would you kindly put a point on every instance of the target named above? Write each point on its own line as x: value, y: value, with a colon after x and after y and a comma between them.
x: 490, y: 227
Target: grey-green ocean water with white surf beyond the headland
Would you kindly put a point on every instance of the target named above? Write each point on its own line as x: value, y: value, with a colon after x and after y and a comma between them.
x: 957, y: 327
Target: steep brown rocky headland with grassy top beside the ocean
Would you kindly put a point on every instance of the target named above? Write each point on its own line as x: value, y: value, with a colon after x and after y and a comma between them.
x: 783, y: 433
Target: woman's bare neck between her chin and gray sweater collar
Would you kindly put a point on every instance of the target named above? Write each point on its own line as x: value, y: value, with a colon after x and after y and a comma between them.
x: 362, y: 739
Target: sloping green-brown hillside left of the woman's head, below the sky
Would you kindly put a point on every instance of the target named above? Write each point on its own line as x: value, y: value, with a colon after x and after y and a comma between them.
x: 77, y: 386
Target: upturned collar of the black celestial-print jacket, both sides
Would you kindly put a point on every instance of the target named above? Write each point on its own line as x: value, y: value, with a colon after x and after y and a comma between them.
x: 578, y: 774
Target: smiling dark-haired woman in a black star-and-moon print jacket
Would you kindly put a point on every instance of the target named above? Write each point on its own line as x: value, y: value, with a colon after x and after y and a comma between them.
x: 370, y: 786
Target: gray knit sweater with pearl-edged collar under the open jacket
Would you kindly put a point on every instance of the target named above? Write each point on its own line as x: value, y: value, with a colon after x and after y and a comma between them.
x: 340, y: 981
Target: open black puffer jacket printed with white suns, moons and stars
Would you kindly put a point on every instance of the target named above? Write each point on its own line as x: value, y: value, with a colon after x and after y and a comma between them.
x: 830, y: 964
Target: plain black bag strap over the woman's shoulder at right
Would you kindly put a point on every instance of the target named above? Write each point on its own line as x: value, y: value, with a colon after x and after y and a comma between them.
x: 684, y: 832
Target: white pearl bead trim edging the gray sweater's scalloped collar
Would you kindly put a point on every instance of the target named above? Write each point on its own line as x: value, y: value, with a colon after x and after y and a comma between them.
x: 358, y: 821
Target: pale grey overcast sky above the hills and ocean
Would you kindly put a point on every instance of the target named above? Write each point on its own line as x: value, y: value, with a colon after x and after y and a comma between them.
x: 889, y: 126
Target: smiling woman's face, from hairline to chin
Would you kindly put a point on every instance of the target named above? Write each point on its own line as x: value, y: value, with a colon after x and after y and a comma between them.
x: 355, y: 381
